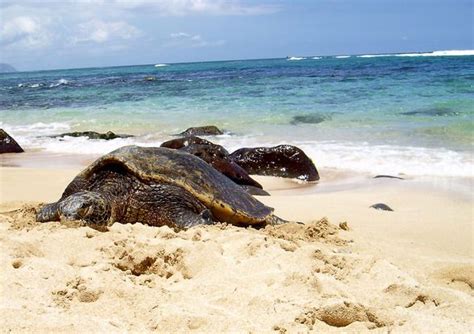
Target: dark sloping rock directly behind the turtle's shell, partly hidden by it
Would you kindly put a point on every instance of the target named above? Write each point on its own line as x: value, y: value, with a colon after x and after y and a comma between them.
x: 215, y: 155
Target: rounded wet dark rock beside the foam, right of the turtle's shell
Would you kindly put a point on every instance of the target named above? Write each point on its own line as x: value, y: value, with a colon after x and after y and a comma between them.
x: 283, y: 160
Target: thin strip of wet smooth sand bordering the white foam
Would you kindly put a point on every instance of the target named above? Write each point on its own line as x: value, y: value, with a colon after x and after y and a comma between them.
x: 332, y: 179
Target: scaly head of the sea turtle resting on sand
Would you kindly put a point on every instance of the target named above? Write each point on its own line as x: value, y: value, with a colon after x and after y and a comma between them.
x: 88, y: 206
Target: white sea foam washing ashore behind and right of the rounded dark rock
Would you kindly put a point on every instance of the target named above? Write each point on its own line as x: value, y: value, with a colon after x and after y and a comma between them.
x: 374, y: 159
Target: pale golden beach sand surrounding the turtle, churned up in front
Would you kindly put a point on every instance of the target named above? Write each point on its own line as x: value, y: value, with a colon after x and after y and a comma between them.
x: 411, y: 270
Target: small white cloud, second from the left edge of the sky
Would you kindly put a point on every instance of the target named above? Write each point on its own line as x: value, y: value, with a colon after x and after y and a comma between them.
x: 98, y: 31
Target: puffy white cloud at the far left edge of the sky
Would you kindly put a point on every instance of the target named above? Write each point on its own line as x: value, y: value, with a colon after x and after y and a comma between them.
x: 25, y: 32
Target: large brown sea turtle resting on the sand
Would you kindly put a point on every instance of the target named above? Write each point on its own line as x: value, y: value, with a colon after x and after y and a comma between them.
x: 155, y: 186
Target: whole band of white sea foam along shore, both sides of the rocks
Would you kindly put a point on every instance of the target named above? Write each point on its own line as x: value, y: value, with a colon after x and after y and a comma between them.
x: 359, y: 157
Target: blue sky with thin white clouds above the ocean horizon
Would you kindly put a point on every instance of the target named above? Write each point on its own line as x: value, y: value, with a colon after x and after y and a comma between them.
x: 44, y: 34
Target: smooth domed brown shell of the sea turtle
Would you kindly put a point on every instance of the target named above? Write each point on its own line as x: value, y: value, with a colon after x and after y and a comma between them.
x: 227, y: 201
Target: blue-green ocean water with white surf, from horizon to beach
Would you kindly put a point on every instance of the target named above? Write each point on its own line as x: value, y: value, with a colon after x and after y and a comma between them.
x: 399, y: 113
